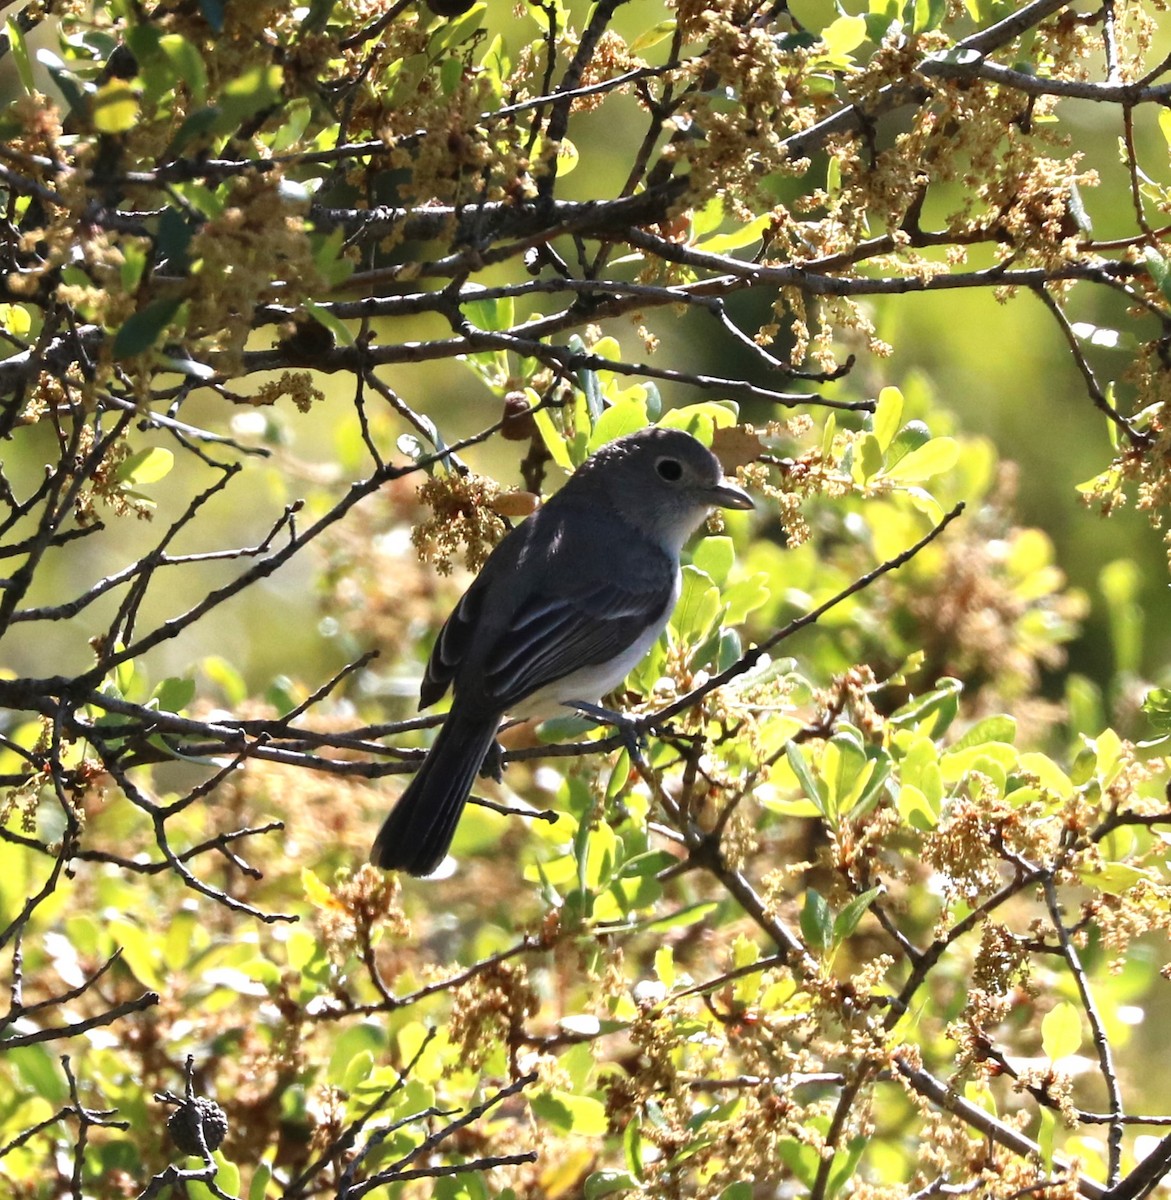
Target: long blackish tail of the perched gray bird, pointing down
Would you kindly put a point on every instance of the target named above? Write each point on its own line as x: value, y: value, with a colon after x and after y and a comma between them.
x: 417, y: 835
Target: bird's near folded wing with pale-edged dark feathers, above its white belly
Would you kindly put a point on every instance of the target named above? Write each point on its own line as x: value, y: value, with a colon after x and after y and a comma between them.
x: 551, y: 637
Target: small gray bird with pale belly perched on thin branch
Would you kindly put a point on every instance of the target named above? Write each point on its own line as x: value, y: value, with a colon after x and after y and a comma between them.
x: 565, y: 608
